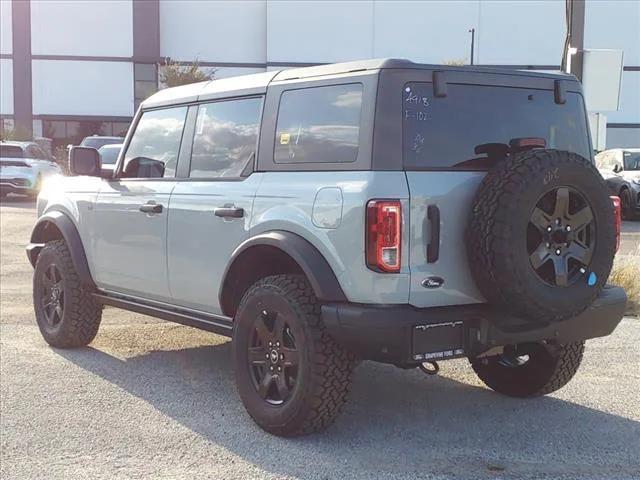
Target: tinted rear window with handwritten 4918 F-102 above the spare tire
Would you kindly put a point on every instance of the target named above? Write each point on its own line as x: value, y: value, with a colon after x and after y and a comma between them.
x: 444, y: 132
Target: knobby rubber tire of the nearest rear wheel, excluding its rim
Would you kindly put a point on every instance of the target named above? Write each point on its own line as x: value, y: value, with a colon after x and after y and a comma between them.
x: 325, y: 368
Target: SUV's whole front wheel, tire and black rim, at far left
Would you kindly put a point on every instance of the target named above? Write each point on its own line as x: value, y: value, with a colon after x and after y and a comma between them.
x: 66, y: 313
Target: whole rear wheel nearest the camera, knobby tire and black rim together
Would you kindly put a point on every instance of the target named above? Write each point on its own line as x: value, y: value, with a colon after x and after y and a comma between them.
x: 293, y: 378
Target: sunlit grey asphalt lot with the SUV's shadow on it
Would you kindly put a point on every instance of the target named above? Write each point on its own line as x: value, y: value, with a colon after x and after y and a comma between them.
x: 149, y: 399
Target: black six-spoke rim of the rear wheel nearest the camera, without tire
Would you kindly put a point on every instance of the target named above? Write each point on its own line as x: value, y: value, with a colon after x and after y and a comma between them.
x: 273, y: 357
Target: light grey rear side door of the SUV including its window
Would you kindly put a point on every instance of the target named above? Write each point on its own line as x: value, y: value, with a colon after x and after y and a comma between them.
x: 210, y: 211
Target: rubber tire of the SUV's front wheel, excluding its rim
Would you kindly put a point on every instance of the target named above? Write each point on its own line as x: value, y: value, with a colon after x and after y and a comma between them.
x: 81, y: 314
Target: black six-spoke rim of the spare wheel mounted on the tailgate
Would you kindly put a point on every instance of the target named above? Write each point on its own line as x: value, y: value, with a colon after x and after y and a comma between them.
x: 561, y: 236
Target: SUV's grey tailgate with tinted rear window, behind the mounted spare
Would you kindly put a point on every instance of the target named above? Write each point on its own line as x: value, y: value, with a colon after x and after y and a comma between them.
x: 445, y: 162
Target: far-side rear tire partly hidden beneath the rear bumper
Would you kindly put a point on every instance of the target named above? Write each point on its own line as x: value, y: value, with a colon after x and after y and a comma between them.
x: 548, y: 369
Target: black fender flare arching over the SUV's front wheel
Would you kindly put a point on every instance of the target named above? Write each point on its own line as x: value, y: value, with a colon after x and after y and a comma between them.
x: 42, y: 233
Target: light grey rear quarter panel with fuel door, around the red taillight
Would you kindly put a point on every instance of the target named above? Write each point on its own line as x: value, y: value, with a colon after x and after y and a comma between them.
x: 286, y: 201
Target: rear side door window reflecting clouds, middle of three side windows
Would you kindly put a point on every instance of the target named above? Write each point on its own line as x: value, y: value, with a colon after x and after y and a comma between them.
x: 225, y: 138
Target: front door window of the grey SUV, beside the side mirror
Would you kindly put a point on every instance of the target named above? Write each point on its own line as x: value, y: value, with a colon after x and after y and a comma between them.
x: 154, y: 147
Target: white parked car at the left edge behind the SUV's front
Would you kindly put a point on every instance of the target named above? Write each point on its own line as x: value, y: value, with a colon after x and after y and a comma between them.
x: 23, y: 168
